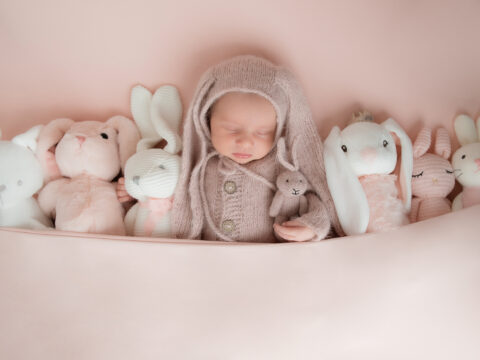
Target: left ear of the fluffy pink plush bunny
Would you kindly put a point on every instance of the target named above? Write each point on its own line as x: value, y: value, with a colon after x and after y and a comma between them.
x: 49, y: 136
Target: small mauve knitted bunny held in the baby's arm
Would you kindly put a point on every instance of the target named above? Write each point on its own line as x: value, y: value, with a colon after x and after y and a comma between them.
x: 289, y: 201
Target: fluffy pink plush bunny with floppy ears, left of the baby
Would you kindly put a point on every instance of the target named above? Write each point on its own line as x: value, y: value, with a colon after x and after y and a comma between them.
x: 89, y: 155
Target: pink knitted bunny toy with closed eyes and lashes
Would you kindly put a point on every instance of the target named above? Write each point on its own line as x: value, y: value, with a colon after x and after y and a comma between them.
x: 432, y: 177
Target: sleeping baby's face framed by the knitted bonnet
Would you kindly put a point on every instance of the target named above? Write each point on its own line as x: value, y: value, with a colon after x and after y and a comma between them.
x: 243, y: 126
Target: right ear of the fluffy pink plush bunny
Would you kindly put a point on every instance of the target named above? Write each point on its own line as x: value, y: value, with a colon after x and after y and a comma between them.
x: 128, y: 137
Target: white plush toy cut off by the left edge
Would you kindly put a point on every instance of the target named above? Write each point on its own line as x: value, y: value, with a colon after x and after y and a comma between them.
x: 20, y: 178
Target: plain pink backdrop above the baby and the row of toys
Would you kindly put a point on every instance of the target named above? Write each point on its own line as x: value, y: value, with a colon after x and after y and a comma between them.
x: 417, y: 61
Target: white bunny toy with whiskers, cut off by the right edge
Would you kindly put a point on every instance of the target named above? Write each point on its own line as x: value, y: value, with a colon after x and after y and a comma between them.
x: 466, y: 162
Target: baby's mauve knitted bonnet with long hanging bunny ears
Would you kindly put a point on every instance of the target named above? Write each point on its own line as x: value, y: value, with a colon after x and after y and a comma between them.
x: 294, y: 120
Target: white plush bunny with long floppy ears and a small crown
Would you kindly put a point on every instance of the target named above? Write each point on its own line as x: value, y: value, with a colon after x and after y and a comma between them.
x: 359, y: 161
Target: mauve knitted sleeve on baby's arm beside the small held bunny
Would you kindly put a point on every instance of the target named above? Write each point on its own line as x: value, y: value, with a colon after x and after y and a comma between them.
x: 317, y: 218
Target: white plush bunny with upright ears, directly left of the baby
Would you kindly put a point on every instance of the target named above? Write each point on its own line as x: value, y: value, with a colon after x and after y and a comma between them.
x: 151, y: 174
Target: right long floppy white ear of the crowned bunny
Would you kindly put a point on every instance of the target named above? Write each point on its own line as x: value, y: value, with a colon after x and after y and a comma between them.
x: 406, y: 167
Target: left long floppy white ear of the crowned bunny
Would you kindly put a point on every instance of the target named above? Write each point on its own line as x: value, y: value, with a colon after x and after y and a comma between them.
x: 350, y: 200
